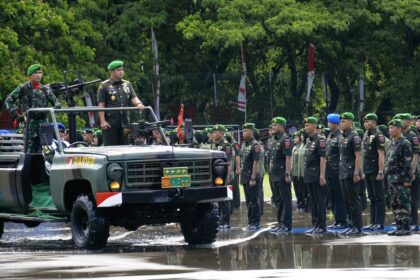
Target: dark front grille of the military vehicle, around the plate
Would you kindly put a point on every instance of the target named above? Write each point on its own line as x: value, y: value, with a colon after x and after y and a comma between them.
x: 148, y: 174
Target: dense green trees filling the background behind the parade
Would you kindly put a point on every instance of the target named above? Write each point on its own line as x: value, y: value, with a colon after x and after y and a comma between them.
x: 380, y: 39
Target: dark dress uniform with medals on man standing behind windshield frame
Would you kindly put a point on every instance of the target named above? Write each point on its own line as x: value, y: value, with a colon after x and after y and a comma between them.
x: 116, y: 94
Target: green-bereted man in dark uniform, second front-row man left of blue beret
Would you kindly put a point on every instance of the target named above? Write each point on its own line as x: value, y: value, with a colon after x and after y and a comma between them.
x: 279, y: 172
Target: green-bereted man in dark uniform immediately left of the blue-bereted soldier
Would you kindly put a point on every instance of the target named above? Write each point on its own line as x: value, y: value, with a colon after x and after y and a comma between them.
x: 314, y: 175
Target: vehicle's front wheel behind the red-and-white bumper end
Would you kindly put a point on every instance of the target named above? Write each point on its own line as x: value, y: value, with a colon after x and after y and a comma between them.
x: 89, y: 229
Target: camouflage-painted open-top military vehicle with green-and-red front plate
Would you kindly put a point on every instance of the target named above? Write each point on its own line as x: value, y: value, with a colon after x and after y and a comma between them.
x: 94, y: 188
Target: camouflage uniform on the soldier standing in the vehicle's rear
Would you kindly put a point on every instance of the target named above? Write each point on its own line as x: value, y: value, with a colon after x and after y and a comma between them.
x: 25, y: 97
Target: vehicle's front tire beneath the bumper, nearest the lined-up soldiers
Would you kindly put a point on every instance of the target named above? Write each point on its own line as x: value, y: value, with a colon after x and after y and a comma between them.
x: 201, y: 225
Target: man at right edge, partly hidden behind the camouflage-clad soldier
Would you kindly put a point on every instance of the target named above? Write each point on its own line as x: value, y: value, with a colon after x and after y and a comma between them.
x: 415, y: 147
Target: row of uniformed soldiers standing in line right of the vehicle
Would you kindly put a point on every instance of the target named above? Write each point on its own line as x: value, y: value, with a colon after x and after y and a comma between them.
x: 335, y: 163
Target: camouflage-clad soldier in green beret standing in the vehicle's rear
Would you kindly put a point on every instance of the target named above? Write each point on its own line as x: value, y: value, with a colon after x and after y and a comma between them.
x: 31, y: 94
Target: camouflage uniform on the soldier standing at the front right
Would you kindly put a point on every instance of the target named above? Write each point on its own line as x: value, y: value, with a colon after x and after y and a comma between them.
x: 398, y: 171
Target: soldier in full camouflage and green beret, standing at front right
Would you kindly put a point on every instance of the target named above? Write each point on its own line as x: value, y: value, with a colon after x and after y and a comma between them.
x: 399, y: 173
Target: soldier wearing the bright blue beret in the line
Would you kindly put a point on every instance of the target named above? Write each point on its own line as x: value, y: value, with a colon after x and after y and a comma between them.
x: 333, y: 161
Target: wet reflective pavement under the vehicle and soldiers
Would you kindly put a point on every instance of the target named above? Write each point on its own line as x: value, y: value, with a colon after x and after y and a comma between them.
x: 159, y: 252
